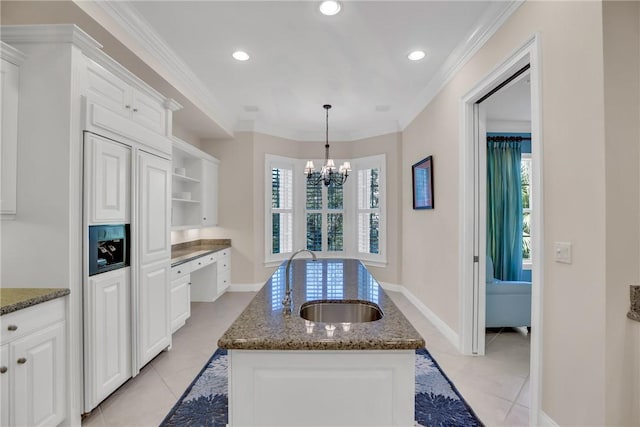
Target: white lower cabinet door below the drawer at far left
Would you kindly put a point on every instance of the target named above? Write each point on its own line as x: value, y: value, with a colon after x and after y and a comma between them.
x: 39, y: 377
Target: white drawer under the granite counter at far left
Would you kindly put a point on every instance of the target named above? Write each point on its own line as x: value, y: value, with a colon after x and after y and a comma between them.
x: 32, y: 318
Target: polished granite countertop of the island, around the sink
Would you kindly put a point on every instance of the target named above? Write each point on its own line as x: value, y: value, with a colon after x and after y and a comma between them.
x: 262, y: 326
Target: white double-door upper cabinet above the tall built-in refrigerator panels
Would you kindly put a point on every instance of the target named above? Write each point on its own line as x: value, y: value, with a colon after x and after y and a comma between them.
x: 110, y: 91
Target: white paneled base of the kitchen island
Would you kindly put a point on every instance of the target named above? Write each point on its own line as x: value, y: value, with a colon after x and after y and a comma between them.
x: 329, y: 388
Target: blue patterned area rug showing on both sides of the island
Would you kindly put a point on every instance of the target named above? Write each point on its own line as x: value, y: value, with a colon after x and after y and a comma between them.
x: 438, y: 403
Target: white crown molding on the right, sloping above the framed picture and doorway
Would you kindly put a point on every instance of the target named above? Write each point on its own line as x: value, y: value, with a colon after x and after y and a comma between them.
x: 493, y: 18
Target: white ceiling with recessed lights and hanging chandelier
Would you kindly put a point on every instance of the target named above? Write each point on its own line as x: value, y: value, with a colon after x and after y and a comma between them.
x: 301, y: 59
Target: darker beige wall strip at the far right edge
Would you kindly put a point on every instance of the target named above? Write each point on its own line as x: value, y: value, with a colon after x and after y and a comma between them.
x: 622, y: 148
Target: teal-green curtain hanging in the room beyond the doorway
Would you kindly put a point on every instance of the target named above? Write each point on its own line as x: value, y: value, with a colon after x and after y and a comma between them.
x: 504, y: 209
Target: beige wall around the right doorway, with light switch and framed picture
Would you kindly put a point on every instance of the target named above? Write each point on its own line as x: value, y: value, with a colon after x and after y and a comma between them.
x: 575, y: 329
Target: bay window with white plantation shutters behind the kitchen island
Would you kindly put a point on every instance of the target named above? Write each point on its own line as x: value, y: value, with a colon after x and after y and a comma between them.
x: 344, y: 221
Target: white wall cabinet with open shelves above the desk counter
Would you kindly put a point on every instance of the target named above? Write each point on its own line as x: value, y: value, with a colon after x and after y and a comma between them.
x: 195, y: 187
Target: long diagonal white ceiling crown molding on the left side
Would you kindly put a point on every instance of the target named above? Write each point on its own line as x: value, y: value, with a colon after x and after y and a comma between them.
x: 139, y: 29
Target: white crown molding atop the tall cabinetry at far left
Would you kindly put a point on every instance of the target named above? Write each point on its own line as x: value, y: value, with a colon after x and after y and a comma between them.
x: 58, y: 33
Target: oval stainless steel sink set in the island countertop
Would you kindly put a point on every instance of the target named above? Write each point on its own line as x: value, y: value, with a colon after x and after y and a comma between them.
x: 340, y: 311
